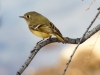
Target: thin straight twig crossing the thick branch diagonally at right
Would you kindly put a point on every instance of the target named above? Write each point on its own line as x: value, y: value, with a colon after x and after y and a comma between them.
x: 67, y: 64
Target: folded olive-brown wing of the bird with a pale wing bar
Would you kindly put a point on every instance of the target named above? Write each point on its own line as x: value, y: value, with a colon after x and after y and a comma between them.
x: 50, y: 29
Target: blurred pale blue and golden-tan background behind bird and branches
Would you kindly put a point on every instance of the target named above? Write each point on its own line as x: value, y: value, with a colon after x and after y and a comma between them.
x: 70, y: 17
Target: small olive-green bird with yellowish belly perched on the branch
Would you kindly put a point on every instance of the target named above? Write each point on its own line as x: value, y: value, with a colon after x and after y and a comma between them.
x: 41, y: 26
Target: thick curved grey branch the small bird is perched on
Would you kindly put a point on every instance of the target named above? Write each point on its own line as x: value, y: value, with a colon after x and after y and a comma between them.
x: 46, y: 42
